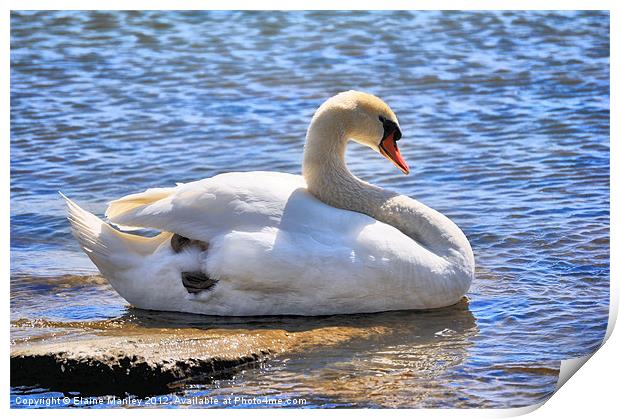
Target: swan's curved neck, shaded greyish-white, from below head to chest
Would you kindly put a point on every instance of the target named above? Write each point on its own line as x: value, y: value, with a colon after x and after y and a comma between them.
x: 329, y: 179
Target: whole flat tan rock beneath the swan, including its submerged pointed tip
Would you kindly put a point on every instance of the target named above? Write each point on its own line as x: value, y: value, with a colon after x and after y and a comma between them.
x: 97, y: 358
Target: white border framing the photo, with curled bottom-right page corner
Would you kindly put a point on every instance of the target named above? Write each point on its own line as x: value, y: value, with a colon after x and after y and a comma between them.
x: 592, y: 393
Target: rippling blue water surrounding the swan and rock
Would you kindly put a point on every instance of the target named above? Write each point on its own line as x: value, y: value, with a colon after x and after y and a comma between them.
x: 505, y: 120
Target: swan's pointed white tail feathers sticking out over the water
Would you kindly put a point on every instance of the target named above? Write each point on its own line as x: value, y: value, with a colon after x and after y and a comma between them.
x: 108, y: 248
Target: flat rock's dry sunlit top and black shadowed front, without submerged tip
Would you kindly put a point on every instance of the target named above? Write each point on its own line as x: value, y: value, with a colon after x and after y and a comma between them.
x: 138, y: 365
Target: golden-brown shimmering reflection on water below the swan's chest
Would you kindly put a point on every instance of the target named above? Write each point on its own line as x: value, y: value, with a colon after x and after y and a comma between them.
x: 409, y: 366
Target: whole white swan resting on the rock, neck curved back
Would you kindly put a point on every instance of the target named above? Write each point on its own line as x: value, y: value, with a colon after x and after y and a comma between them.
x: 270, y: 243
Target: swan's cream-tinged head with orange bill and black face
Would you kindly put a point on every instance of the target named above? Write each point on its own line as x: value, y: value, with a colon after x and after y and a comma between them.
x: 367, y: 120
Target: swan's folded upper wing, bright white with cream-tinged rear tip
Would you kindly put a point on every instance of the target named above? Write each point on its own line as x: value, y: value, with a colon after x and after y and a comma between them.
x: 200, y: 210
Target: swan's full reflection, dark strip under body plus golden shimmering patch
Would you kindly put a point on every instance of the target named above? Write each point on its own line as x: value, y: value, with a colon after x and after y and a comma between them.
x: 394, y: 362
